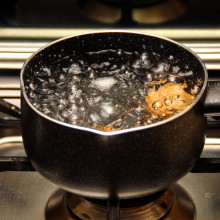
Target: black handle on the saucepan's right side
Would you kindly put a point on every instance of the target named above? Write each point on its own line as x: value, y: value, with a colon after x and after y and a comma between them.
x: 212, y: 101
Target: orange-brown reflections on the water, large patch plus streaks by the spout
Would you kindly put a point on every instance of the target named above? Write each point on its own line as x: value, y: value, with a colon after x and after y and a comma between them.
x: 169, y: 99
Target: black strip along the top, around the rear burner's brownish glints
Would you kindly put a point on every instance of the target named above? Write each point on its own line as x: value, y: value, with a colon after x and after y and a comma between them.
x: 69, y: 13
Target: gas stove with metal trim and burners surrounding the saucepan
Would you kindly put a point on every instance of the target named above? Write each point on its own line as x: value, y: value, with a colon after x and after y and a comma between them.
x: 25, y: 27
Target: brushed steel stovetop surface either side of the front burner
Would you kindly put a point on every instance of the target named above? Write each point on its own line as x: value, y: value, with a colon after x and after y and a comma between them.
x: 24, y: 195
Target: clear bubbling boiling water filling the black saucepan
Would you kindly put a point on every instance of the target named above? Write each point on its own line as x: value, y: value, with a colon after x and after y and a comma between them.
x: 111, y: 89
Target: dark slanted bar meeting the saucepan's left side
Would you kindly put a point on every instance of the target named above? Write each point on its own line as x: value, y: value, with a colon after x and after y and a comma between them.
x: 9, y: 109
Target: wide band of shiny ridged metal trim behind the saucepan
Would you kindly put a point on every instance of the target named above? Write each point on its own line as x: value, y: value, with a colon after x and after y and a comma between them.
x: 17, y: 44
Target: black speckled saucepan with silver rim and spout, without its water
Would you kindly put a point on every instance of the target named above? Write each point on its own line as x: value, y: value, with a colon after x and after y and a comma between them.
x: 121, y: 164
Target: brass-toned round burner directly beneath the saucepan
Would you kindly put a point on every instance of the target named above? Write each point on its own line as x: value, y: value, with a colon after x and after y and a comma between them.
x: 171, y: 204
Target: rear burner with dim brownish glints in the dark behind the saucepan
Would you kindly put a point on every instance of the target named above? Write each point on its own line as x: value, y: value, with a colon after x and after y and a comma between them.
x: 130, y: 12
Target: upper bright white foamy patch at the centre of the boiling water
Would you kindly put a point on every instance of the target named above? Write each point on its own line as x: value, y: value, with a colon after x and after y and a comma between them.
x: 104, y: 83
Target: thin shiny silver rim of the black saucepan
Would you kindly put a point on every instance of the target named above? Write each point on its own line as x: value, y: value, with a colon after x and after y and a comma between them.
x: 112, y: 133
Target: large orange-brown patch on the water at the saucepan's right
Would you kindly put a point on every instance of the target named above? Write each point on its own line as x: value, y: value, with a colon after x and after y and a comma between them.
x: 170, y: 98
